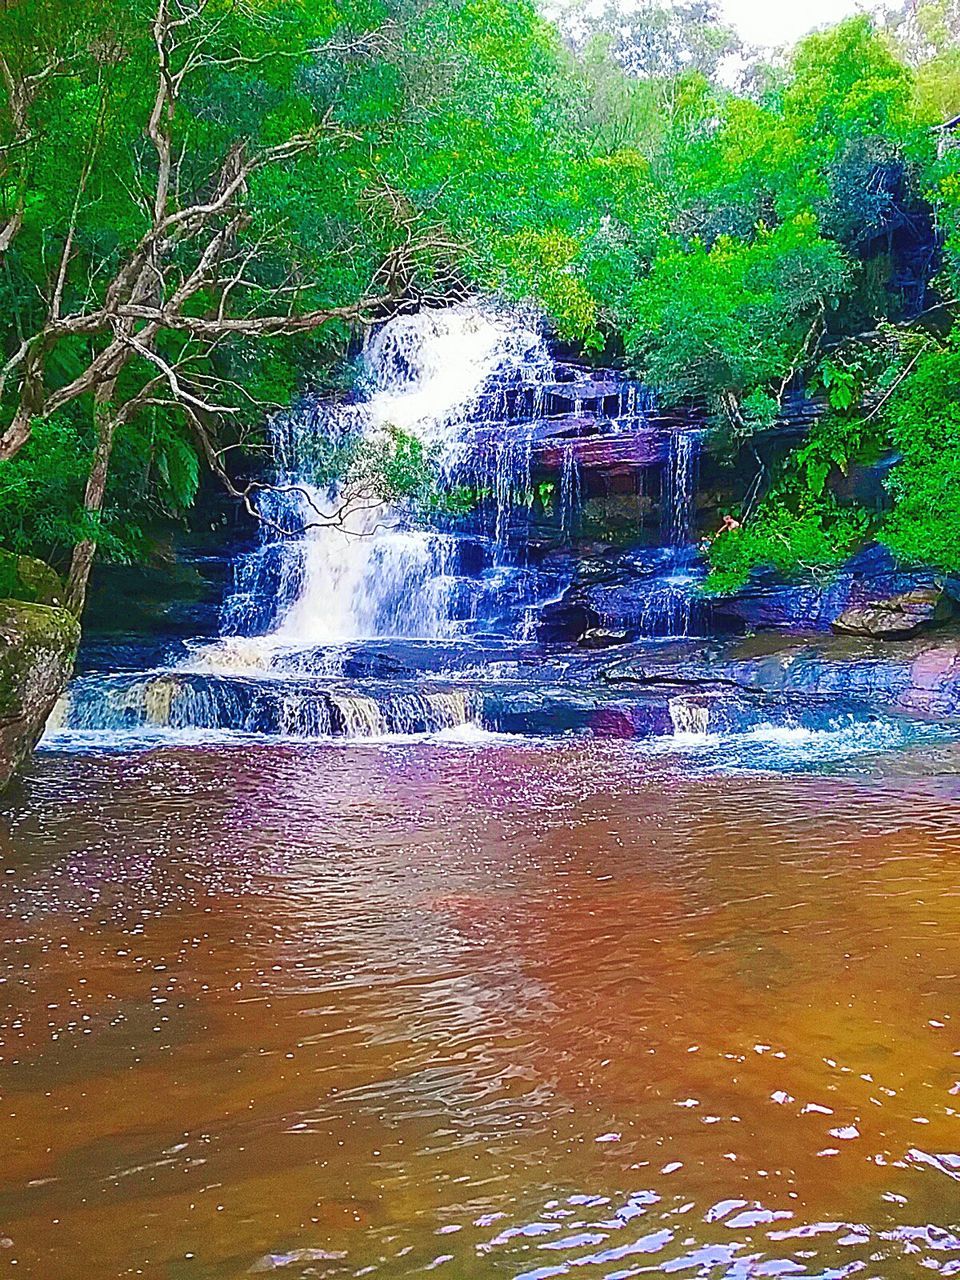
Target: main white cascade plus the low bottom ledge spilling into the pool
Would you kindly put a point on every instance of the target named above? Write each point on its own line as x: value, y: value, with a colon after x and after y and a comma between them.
x: 470, y: 382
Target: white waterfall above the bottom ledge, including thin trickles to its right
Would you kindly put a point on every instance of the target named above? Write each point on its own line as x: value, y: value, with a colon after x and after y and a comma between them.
x: 478, y: 386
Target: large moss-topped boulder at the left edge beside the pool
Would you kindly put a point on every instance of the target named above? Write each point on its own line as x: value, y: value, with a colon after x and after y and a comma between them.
x: 38, y: 647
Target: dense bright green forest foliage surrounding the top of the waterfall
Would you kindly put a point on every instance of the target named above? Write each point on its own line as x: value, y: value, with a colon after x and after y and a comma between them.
x: 728, y: 245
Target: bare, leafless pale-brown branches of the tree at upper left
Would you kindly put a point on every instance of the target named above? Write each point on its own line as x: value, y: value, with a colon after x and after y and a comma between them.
x: 198, y: 244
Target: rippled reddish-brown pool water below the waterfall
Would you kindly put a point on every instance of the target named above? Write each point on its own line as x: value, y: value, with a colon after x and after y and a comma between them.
x: 487, y: 1011
